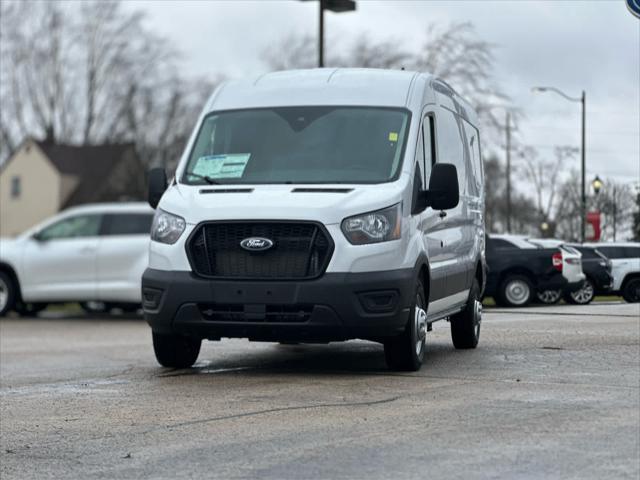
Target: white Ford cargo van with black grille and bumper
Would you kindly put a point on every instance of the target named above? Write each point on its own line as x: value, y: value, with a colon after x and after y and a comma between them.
x: 321, y: 205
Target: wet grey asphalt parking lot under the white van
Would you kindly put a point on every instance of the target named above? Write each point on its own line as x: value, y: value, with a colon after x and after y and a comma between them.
x: 550, y: 393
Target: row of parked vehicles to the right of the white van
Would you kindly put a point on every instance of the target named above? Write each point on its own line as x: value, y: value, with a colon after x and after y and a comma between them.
x: 522, y: 270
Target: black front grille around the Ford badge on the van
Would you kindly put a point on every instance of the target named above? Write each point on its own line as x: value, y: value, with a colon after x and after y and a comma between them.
x: 300, y: 250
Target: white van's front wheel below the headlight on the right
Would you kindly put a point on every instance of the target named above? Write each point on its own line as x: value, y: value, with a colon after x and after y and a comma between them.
x: 406, y: 351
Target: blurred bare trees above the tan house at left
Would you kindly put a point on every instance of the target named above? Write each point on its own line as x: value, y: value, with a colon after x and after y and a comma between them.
x: 90, y: 72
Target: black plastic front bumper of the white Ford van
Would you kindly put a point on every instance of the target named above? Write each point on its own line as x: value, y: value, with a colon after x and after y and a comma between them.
x: 336, y: 306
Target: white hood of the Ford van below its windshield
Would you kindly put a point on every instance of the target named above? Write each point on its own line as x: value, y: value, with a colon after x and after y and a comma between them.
x: 328, y: 204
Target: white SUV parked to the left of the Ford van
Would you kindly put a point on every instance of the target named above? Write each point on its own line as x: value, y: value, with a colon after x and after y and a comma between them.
x: 94, y: 253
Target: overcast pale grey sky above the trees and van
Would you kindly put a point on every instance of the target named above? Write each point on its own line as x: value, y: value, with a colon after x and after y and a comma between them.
x: 572, y: 45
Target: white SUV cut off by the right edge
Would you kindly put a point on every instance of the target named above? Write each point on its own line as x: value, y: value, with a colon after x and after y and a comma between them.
x: 625, y: 267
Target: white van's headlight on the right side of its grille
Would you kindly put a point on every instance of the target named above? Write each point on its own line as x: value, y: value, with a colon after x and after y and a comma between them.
x: 379, y: 226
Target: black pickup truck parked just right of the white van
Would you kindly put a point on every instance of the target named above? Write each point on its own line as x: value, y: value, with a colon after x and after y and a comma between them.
x: 518, y: 270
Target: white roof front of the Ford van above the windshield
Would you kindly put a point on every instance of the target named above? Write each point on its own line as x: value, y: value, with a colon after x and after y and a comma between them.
x: 319, y: 86
